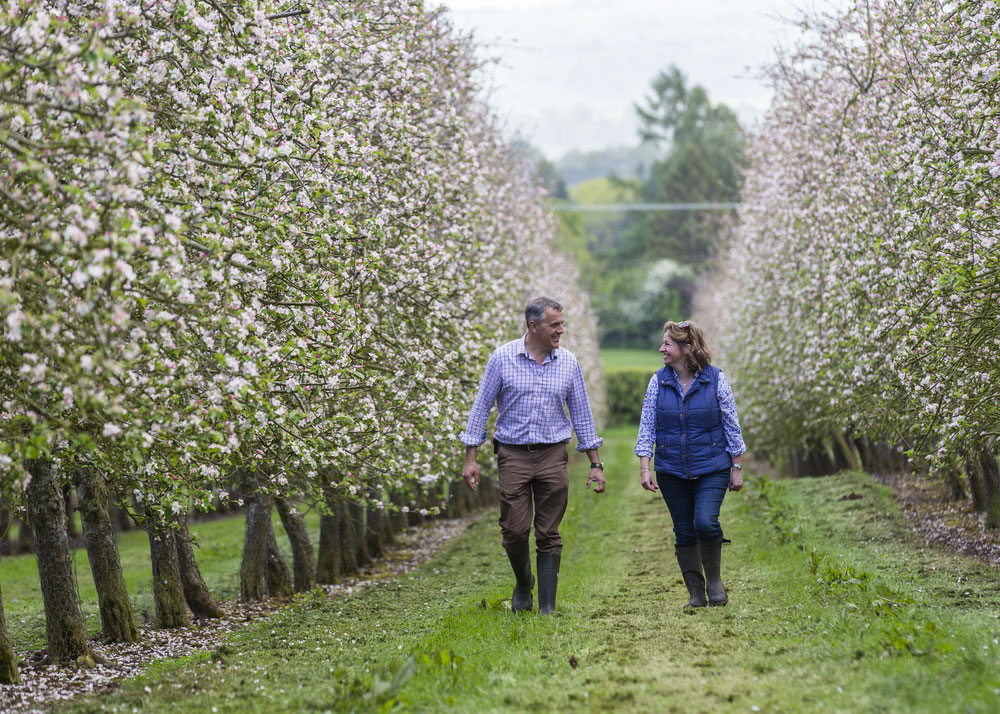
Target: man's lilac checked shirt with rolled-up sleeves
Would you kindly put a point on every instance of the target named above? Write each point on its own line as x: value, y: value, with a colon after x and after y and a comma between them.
x: 531, y: 400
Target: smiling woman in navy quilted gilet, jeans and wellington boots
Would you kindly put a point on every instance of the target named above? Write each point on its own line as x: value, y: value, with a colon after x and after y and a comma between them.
x: 689, y: 418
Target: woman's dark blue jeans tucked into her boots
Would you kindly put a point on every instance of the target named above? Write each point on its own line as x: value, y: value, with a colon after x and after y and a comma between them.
x: 694, y: 504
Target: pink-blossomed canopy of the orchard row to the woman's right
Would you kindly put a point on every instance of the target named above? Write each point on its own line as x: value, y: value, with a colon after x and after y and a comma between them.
x: 862, y: 287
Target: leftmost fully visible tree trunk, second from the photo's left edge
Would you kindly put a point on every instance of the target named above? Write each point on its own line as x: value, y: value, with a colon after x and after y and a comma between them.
x: 65, y: 633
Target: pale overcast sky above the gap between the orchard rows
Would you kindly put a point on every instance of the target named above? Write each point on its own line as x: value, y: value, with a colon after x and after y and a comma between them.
x: 569, y: 71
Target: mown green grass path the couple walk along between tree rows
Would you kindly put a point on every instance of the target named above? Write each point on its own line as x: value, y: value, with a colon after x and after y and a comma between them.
x: 832, y: 610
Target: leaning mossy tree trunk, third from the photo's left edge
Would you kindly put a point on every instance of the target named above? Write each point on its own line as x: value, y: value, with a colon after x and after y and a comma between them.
x: 117, y: 618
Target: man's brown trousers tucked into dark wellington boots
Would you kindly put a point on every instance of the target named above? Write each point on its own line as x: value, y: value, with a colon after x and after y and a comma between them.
x: 542, y: 477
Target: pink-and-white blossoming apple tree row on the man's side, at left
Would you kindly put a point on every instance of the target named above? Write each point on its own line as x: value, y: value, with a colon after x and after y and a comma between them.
x: 253, y: 247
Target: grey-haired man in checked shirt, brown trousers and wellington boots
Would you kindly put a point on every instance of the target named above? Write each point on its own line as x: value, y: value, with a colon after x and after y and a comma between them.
x: 532, y: 380
